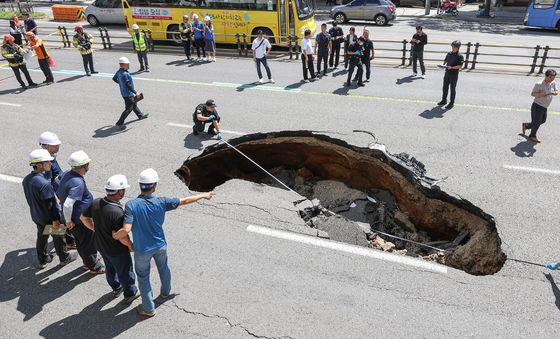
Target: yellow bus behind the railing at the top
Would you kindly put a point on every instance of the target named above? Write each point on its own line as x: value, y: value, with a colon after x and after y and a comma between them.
x: 277, y: 18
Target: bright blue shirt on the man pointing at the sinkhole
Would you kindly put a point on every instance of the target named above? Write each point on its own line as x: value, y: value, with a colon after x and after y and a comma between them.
x: 146, y: 214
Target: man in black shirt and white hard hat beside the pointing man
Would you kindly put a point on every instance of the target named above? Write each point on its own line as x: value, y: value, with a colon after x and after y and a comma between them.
x: 105, y: 216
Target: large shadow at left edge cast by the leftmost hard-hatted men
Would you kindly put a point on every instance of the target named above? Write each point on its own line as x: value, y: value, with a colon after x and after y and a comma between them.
x: 35, y: 288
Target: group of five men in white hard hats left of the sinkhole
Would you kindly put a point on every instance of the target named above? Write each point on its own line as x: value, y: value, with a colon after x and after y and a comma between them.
x: 103, y: 224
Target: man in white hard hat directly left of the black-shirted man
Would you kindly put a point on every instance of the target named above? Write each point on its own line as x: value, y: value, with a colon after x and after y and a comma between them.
x: 75, y: 198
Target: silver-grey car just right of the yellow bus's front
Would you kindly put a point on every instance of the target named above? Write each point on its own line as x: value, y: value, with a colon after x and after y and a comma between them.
x: 380, y: 11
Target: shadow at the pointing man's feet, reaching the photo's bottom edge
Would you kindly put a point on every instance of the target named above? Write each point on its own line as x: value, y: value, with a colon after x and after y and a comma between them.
x: 95, y: 322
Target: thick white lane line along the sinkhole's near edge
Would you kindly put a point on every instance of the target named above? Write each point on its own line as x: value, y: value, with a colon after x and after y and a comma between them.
x: 353, y: 249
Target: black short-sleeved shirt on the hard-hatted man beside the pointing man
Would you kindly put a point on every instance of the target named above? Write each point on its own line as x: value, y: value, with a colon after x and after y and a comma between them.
x: 108, y: 216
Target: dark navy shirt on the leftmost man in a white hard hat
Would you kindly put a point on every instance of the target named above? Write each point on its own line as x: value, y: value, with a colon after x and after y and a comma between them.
x: 38, y: 189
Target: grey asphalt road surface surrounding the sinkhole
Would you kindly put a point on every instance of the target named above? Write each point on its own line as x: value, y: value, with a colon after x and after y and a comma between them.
x: 229, y: 282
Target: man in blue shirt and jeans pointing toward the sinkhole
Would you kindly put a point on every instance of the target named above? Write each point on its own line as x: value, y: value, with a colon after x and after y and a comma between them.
x: 144, y: 216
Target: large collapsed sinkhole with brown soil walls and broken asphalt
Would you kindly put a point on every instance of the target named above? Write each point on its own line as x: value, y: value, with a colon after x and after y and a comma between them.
x: 359, y: 195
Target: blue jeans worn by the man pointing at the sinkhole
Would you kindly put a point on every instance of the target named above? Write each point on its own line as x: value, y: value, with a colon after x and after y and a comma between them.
x: 142, y: 267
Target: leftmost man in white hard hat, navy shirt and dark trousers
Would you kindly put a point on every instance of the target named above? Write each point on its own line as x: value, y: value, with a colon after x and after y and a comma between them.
x: 41, y: 199
